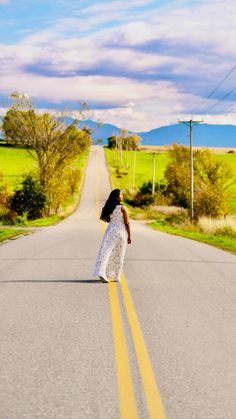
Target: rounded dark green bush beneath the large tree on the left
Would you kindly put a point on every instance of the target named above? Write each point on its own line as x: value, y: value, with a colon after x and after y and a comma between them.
x: 29, y: 199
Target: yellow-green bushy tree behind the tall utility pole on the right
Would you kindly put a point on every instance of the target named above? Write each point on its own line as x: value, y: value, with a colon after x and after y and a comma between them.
x: 211, y: 180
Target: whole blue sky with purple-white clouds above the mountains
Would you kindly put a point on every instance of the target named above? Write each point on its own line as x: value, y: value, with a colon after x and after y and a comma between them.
x: 138, y: 64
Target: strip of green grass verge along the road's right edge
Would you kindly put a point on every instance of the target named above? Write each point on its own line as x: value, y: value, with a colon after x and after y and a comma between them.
x: 222, y: 242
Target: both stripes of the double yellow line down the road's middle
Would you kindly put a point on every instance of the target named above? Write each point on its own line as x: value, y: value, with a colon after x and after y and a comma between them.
x: 128, y: 409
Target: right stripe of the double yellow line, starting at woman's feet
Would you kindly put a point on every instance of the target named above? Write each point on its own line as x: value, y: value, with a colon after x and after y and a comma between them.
x: 154, y: 403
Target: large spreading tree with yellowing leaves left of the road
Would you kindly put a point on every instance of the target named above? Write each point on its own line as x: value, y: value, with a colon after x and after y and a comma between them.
x: 50, y: 141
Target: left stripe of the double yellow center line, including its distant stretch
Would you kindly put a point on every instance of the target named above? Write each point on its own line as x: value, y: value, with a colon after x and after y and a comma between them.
x: 126, y: 393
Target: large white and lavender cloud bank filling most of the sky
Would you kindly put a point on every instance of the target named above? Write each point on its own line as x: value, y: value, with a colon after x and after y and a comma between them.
x: 194, y: 47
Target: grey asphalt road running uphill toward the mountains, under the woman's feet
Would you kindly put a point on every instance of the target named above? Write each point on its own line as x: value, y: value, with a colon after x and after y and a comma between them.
x: 60, y: 347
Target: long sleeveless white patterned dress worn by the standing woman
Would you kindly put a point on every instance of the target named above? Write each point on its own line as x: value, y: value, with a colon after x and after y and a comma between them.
x: 110, y: 258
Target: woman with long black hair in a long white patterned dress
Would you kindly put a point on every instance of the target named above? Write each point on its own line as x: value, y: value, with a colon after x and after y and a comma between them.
x: 110, y: 258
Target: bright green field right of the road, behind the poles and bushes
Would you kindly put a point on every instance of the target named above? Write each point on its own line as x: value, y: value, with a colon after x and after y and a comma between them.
x: 143, y: 171
